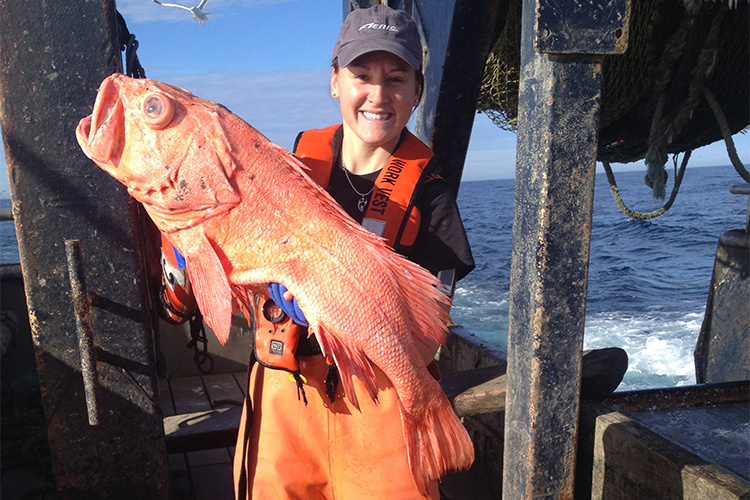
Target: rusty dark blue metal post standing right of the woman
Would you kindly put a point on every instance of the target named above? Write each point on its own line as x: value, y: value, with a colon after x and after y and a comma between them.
x: 561, y: 53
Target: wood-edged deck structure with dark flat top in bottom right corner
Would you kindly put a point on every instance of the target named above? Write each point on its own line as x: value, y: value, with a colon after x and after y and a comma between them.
x: 685, y: 442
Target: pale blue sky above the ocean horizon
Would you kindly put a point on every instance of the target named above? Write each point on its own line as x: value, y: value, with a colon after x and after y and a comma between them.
x: 268, y: 61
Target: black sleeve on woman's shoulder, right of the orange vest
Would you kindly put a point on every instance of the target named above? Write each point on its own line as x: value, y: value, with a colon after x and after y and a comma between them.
x: 441, y: 243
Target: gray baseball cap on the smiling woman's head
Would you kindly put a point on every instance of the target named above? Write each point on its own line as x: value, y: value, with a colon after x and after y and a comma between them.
x: 379, y: 28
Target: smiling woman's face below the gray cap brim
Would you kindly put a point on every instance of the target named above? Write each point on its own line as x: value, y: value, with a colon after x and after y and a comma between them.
x: 377, y: 93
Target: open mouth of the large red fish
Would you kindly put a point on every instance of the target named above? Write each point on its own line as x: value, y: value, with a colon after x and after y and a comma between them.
x: 101, y: 135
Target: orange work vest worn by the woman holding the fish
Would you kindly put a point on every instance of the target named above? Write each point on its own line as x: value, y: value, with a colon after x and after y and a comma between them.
x: 391, y: 214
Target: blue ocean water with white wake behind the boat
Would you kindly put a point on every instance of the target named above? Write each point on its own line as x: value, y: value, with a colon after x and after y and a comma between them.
x: 648, y: 280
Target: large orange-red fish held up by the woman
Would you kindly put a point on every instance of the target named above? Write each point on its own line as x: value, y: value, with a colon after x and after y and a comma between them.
x: 244, y: 213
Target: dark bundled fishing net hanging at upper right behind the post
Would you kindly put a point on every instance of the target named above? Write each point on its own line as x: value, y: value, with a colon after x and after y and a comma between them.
x: 682, y: 83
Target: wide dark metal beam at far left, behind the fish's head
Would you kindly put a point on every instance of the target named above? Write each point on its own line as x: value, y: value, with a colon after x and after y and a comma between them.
x: 53, y: 56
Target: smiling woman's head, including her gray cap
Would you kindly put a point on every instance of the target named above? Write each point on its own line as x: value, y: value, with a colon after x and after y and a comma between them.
x: 377, y: 77
